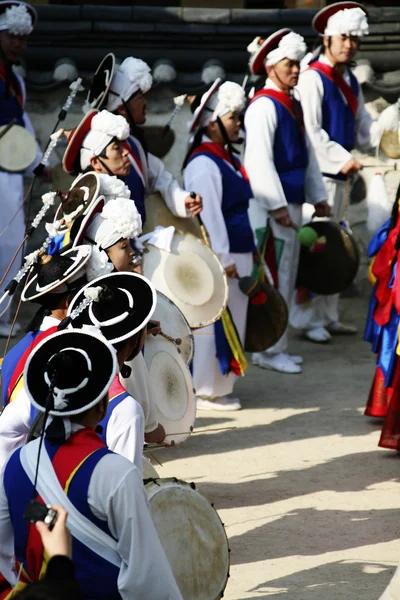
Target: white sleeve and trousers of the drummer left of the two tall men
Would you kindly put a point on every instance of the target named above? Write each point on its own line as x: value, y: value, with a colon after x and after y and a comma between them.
x: 203, y: 175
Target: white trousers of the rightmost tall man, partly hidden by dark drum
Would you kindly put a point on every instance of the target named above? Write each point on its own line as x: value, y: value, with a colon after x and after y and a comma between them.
x: 322, y: 310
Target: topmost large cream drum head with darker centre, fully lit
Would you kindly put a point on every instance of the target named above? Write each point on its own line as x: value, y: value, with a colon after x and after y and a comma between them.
x: 191, y: 276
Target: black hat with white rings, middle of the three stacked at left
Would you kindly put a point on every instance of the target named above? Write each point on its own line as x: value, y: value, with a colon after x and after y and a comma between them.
x: 122, y: 305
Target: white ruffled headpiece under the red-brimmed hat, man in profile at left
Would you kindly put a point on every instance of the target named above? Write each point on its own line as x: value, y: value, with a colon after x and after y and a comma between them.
x: 104, y: 127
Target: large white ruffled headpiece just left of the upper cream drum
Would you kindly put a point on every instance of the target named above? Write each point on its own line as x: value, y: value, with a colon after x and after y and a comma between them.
x: 119, y: 219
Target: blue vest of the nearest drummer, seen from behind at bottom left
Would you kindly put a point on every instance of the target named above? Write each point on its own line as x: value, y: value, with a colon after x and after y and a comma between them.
x: 97, y: 577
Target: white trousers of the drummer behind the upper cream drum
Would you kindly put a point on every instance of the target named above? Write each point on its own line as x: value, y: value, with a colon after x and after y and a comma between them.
x: 207, y: 377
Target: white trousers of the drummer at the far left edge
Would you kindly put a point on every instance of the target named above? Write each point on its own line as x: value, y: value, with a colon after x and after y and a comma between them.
x: 11, y: 194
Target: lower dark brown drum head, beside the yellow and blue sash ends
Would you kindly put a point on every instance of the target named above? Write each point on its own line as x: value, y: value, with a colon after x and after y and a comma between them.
x: 267, y: 322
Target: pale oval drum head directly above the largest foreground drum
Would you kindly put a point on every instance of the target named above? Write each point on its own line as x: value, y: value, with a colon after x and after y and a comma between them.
x: 172, y: 386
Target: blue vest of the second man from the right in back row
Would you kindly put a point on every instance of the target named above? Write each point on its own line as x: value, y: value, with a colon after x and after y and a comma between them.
x: 290, y: 154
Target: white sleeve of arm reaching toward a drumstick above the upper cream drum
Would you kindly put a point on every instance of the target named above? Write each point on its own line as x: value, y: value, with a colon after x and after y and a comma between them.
x: 161, y: 180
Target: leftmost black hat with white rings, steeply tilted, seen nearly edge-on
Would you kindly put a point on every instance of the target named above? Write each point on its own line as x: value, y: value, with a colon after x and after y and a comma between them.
x: 57, y: 273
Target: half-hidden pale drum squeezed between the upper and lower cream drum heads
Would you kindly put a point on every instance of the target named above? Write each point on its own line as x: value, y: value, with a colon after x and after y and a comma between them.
x: 174, y: 325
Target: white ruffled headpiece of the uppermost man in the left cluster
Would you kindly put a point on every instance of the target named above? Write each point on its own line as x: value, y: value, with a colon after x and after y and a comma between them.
x: 132, y: 75
